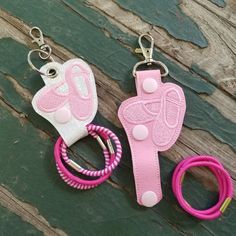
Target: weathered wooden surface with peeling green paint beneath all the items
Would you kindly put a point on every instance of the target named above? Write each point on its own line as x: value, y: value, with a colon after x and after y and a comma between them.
x: 200, y: 57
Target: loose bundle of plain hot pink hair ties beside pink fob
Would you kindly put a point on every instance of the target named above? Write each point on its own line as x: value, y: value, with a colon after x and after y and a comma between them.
x: 224, y: 184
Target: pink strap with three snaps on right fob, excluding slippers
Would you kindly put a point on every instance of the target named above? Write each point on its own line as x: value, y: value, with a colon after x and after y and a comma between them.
x: 144, y: 153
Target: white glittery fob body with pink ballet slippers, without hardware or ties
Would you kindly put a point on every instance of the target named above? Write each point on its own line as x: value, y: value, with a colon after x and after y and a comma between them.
x: 68, y: 101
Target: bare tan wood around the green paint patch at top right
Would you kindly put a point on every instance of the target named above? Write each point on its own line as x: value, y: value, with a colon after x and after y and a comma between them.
x: 219, y: 52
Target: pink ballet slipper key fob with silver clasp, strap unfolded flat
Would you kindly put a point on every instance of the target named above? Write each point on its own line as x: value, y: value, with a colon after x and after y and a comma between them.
x: 152, y: 121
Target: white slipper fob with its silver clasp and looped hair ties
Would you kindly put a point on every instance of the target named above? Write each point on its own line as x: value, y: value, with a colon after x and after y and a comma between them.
x: 69, y: 102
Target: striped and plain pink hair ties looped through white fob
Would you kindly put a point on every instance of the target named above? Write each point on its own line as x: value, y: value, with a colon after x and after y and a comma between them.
x: 112, y: 159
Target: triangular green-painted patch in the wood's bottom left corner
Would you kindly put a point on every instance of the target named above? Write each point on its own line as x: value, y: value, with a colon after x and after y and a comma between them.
x: 11, y: 224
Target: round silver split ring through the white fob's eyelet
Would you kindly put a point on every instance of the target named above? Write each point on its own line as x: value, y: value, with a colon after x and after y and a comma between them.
x: 40, y: 51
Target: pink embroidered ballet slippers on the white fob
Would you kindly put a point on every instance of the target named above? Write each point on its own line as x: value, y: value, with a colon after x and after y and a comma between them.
x: 66, y: 91
